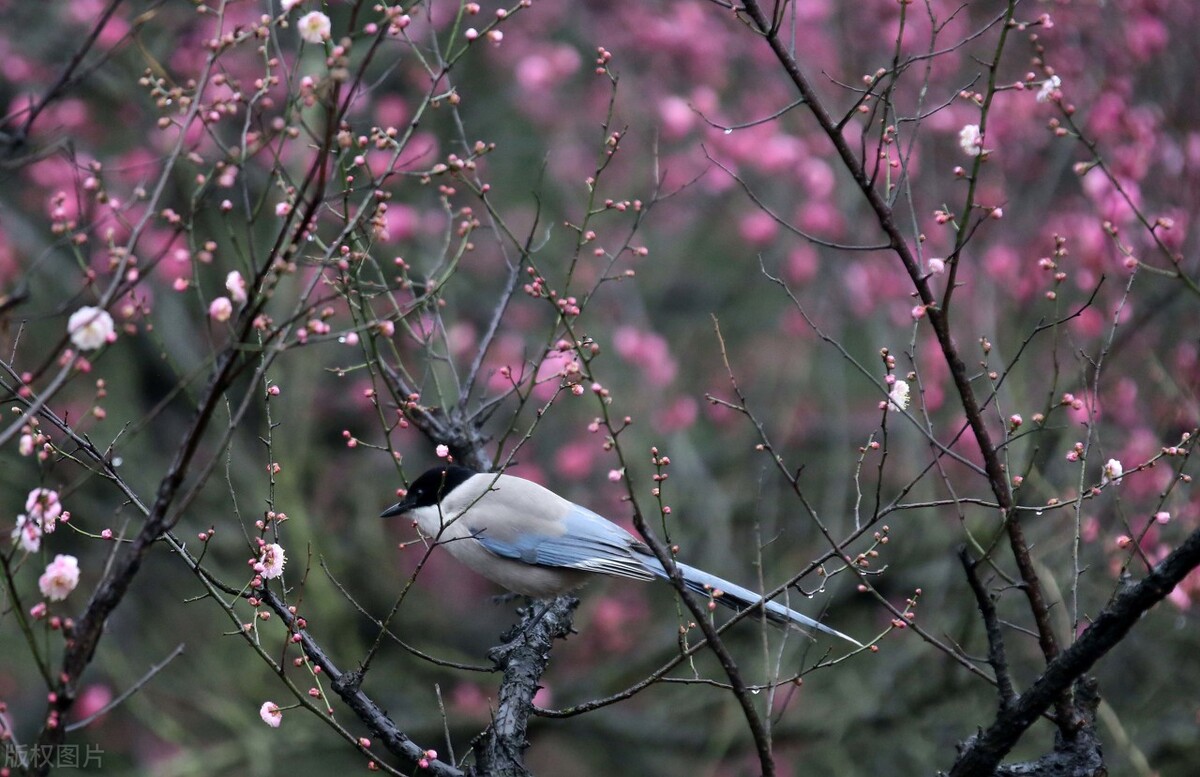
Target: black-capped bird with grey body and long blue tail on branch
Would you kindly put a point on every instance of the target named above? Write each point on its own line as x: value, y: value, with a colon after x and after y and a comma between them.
x: 536, y: 544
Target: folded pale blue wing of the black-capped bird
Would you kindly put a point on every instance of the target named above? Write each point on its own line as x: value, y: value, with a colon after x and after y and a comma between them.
x: 583, y: 540
